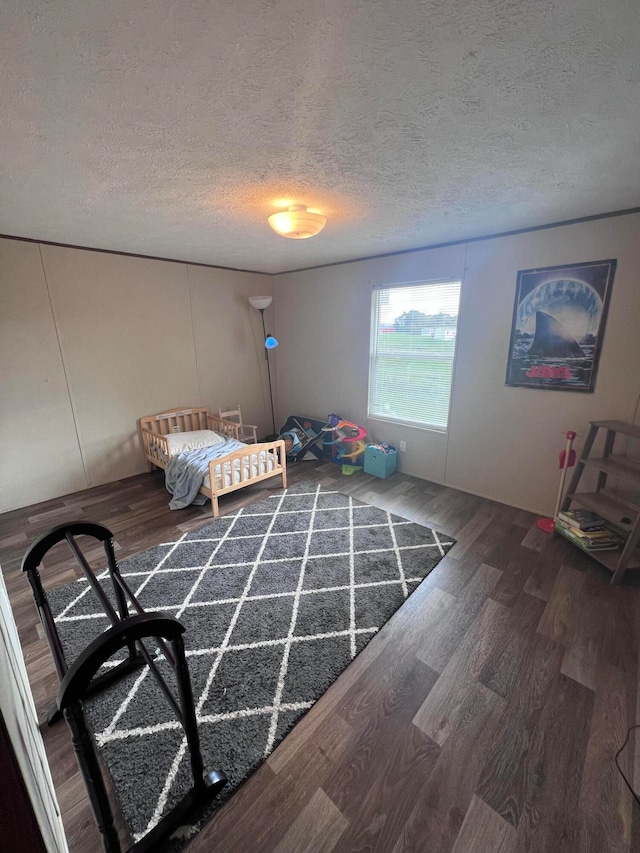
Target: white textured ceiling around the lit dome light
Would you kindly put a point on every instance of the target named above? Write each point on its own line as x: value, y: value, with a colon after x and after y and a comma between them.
x: 175, y: 128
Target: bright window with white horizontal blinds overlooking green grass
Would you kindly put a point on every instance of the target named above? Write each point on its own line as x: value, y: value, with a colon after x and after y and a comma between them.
x: 413, y: 341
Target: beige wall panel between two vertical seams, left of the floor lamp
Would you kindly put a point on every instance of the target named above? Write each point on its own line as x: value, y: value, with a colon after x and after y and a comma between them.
x: 128, y: 348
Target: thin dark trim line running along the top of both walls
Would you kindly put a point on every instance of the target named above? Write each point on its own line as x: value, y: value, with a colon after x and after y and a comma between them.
x: 610, y: 215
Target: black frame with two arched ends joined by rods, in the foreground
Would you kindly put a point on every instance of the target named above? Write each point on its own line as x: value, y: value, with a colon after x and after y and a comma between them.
x: 79, y: 680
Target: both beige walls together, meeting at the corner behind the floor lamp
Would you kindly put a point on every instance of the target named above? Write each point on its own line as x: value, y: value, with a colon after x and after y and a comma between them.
x: 89, y: 342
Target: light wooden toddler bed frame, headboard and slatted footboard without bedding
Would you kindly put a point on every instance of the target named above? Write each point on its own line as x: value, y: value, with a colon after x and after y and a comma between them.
x: 233, y: 471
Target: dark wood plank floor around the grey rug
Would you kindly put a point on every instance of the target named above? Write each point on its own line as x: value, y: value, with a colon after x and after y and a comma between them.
x: 483, y: 718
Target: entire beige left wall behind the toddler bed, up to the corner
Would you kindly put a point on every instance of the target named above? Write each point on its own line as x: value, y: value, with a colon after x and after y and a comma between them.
x: 91, y: 341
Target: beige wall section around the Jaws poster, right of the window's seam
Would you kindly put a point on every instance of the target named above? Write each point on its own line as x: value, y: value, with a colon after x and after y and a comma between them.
x: 503, y: 441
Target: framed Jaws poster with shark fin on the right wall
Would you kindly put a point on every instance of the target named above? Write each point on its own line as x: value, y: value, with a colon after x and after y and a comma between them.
x: 558, y: 325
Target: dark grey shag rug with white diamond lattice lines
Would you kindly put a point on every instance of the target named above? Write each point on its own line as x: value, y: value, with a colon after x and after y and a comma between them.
x: 277, y: 599
